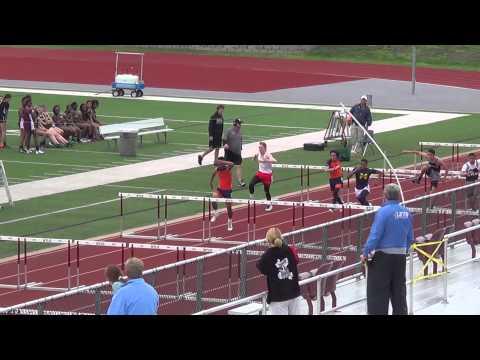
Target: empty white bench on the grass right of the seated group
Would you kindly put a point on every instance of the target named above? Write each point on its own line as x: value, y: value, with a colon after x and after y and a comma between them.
x: 142, y: 127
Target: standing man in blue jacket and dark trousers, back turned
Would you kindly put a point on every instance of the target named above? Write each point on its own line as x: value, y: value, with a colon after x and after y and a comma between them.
x: 389, y: 241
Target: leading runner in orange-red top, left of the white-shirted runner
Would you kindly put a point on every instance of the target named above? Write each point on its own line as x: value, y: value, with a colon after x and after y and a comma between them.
x: 224, y: 189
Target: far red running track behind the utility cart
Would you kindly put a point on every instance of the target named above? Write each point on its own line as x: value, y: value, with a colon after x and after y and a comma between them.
x: 207, y: 72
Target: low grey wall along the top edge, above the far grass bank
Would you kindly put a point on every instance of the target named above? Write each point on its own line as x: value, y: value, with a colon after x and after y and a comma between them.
x: 233, y: 48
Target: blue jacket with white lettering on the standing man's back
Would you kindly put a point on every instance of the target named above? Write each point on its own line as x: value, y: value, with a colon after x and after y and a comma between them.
x: 392, y: 229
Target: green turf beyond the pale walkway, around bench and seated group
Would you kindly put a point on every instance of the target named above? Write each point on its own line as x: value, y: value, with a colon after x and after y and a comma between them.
x: 189, y: 120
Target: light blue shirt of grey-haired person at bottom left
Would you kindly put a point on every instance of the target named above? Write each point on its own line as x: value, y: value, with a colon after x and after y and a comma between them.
x: 136, y: 297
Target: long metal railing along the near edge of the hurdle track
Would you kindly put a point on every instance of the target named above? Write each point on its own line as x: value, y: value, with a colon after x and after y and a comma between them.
x: 205, y: 285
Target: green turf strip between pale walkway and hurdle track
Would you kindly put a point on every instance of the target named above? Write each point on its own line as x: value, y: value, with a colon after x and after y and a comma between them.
x: 103, y: 218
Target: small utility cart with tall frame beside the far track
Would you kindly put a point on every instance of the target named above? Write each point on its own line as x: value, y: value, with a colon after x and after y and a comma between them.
x: 125, y: 82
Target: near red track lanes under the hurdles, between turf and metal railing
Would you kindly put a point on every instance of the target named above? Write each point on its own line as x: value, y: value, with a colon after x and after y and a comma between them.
x: 50, y: 268
